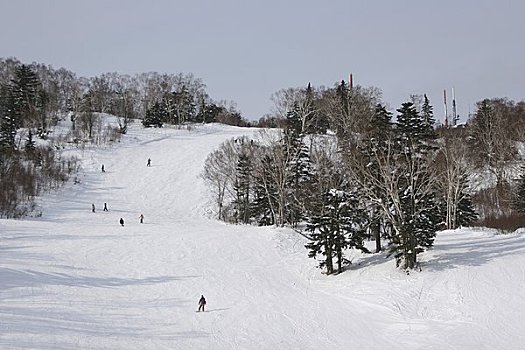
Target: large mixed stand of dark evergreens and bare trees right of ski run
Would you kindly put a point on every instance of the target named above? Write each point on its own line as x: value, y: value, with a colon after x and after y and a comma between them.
x: 340, y: 170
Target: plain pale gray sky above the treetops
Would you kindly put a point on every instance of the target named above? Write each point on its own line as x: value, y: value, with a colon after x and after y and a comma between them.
x: 246, y: 50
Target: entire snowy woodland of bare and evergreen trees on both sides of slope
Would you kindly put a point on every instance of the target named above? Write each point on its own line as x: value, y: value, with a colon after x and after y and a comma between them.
x: 331, y: 162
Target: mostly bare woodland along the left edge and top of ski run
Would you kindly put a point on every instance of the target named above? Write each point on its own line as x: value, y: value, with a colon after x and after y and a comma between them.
x: 36, y: 97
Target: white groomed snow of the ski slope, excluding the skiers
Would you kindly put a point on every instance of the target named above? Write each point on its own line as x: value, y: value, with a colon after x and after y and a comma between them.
x: 73, y: 279
